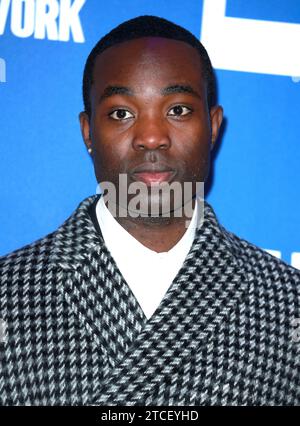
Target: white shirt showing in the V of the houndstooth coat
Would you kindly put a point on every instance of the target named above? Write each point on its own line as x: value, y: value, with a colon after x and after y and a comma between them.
x: 149, y: 274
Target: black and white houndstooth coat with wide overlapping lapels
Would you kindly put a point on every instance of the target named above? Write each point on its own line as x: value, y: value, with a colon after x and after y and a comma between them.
x: 76, y: 335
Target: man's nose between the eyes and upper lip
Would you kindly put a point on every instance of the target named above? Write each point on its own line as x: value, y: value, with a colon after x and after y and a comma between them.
x: 151, y: 133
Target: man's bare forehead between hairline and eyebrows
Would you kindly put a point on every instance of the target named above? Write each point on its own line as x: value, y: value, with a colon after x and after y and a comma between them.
x: 148, y: 59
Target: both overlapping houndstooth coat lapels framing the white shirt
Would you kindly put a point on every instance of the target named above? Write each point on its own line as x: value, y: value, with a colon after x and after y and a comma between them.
x: 145, y: 354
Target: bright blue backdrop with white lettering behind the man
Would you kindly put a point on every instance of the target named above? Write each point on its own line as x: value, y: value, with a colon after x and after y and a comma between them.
x: 45, y: 169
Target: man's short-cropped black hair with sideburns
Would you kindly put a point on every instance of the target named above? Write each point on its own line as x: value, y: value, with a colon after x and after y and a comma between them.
x: 147, y: 26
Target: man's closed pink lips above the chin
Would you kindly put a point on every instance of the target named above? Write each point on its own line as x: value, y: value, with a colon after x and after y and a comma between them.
x: 153, y: 173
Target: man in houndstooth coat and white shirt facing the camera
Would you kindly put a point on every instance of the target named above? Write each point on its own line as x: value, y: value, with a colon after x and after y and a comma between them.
x: 146, y: 309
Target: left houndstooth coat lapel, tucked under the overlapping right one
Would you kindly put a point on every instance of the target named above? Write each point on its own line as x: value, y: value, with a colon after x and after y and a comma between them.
x: 93, y: 286
